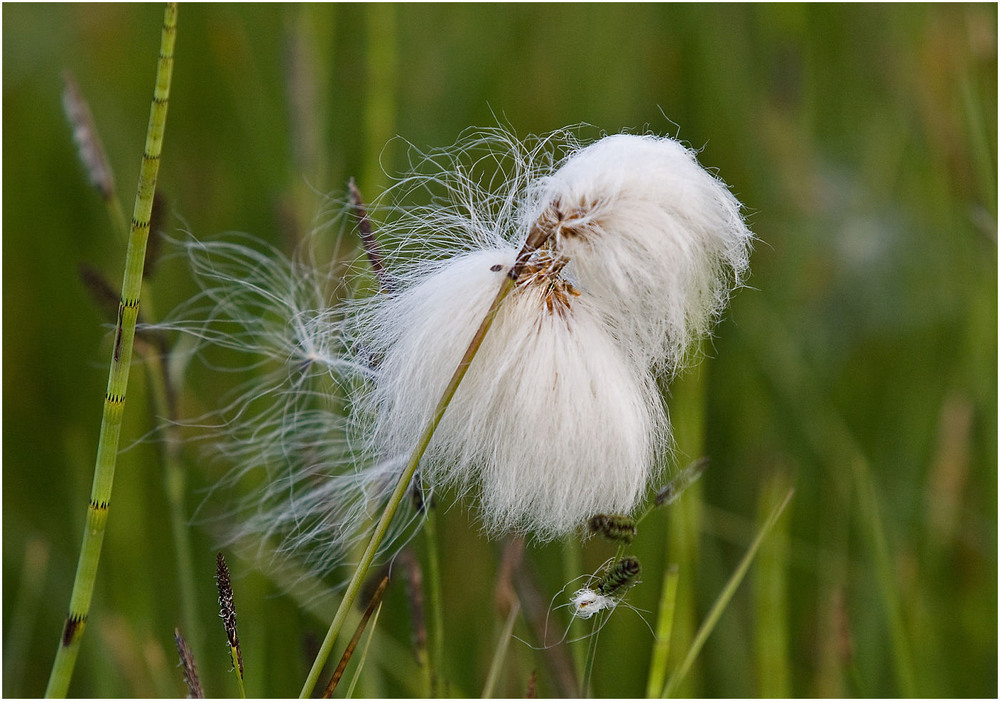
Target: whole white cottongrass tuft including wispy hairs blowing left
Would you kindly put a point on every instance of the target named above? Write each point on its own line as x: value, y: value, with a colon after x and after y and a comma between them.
x: 559, y: 416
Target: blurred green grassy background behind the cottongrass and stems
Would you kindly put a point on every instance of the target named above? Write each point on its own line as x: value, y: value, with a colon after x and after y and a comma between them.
x: 861, y: 366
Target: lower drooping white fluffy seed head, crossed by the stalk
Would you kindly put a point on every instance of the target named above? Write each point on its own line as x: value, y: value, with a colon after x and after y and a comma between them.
x: 554, y: 420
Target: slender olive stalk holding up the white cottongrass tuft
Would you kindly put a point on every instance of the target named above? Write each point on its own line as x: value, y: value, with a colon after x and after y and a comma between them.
x: 536, y: 237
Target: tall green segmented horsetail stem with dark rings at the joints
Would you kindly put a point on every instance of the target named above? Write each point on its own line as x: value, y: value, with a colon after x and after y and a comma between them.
x: 114, y: 401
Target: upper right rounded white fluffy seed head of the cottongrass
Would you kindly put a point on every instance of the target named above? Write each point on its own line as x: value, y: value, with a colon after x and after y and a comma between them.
x: 655, y: 239
